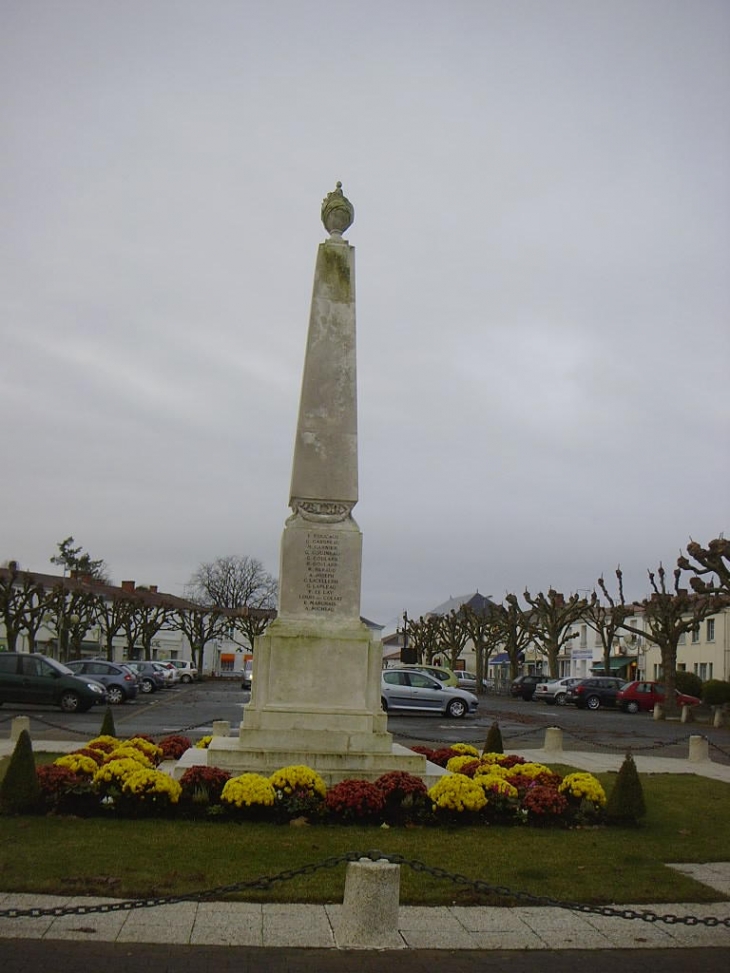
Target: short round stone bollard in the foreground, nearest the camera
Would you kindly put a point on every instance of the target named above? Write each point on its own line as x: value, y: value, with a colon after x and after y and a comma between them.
x: 369, y: 917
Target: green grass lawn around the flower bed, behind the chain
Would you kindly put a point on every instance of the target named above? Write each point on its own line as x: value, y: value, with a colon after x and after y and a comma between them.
x: 687, y: 821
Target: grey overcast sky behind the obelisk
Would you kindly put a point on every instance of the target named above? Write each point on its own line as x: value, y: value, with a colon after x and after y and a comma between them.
x: 542, y: 234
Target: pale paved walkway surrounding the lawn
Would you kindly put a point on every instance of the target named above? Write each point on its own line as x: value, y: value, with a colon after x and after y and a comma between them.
x: 444, y: 928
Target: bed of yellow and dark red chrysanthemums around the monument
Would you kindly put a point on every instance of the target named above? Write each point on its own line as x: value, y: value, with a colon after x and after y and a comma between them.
x: 114, y: 776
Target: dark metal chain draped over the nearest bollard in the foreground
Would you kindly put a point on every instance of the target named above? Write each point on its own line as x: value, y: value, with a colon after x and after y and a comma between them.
x: 266, y: 881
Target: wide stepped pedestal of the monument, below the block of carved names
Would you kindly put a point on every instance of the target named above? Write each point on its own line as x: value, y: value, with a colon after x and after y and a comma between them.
x: 316, y: 700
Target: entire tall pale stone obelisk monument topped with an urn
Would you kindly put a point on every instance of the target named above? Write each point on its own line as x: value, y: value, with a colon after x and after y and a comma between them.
x: 316, y: 672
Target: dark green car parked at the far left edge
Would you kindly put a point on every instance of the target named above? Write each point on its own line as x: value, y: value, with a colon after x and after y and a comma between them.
x: 28, y: 677
